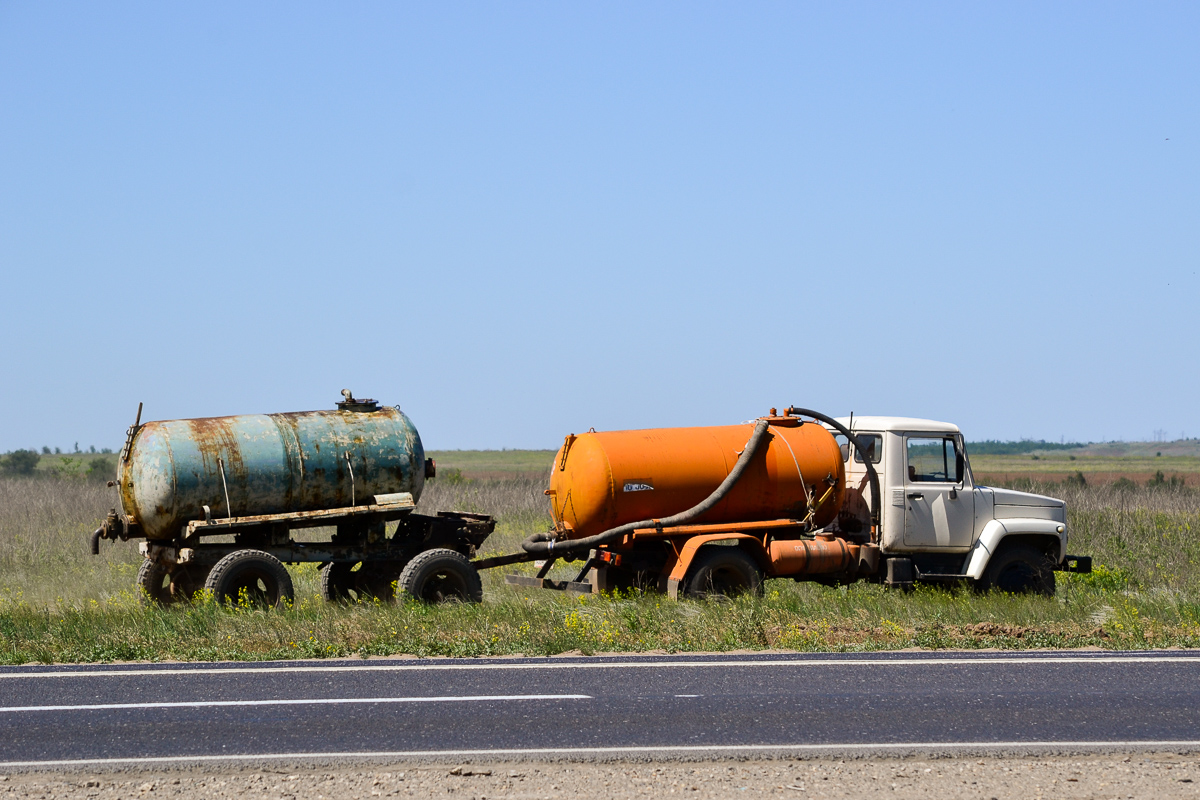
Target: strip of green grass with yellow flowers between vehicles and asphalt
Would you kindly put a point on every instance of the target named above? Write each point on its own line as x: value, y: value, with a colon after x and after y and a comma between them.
x: 862, y: 617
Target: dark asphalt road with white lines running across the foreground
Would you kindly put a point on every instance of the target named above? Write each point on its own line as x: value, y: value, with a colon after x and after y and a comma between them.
x: 599, y: 707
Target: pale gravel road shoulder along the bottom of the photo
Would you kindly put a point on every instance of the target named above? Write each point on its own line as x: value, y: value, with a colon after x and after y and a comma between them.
x: 1143, y: 775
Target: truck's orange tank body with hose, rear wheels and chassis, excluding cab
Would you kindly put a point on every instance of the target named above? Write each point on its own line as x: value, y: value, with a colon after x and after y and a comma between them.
x: 707, y: 512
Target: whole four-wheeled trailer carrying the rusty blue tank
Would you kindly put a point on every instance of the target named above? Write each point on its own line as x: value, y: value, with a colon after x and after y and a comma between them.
x: 218, y: 501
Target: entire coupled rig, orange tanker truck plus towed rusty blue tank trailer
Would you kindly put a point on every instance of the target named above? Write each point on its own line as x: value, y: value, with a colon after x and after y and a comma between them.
x: 694, y: 513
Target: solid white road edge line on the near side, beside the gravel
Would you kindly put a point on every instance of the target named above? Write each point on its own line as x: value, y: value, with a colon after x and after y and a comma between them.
x: 979, y: 747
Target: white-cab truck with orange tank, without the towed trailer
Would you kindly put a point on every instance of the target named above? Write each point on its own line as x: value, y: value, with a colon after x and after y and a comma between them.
x: 716, y: 512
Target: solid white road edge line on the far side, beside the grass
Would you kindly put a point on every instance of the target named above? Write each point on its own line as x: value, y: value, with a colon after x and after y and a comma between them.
x: 622, y: 665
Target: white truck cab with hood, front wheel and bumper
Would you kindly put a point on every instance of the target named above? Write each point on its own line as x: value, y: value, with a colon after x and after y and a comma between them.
x: 938, y: 525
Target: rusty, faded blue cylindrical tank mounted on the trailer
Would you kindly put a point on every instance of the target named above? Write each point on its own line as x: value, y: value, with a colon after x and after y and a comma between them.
x: 267, y: 465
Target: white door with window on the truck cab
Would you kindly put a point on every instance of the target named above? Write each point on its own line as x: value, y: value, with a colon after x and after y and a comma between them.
x: 939, y: 514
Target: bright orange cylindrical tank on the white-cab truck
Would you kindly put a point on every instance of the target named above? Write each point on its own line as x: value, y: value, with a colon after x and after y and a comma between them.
x: 604, y: 480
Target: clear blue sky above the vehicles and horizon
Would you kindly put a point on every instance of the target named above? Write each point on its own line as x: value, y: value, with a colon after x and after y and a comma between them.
x: 518, y: 221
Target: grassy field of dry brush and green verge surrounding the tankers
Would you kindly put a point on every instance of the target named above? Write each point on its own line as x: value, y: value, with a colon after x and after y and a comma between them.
x: 61, y: 604
